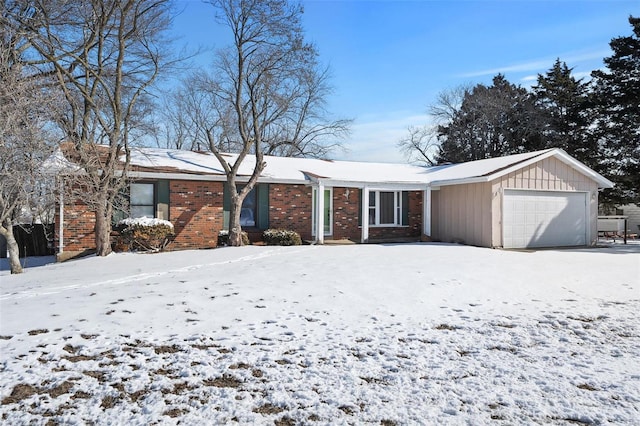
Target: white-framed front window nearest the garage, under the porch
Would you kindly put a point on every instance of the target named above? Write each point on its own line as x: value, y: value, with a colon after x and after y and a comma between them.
x: 388, y: 208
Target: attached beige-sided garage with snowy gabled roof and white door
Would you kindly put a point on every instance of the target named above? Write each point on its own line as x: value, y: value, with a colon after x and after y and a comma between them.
x: 539, y: 199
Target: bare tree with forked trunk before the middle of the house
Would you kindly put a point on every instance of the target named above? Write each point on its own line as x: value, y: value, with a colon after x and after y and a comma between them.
x: 267, y: 92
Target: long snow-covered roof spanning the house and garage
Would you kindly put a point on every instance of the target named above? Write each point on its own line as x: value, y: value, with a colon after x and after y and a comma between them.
x: 301, y: 170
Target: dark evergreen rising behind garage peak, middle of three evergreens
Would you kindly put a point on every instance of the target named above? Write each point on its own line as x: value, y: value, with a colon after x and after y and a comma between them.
x: 562, y: 102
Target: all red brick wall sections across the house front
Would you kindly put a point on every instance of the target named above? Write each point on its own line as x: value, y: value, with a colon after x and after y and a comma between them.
x: 196, y: 211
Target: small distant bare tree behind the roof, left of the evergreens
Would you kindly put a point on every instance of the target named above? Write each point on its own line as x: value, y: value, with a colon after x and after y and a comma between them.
x: 422, y: 142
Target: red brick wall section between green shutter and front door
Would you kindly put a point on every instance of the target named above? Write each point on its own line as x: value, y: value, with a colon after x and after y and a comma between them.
x: 290, y: 208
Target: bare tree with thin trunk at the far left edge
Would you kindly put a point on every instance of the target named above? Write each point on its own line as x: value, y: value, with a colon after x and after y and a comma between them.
x: 26, y: 104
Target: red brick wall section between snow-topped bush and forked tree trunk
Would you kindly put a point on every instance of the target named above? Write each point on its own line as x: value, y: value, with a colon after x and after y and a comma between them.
x: 196, y: 211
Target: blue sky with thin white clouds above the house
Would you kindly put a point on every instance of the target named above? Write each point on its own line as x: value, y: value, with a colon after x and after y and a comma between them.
x: 390, y: 58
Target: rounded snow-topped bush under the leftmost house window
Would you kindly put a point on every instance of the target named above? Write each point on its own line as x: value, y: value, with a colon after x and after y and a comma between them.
x: 145, y: 234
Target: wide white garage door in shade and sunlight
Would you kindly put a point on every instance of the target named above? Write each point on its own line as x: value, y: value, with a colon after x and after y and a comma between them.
x: 544, y: 219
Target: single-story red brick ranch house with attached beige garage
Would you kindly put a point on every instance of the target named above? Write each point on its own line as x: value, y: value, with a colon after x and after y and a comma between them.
x: 538, y: 199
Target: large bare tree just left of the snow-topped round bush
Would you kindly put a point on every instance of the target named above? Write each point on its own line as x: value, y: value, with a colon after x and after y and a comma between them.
x: 104, y: 55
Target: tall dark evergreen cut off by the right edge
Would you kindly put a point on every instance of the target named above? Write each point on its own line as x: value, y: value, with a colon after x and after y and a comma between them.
x: 617, y: 103
